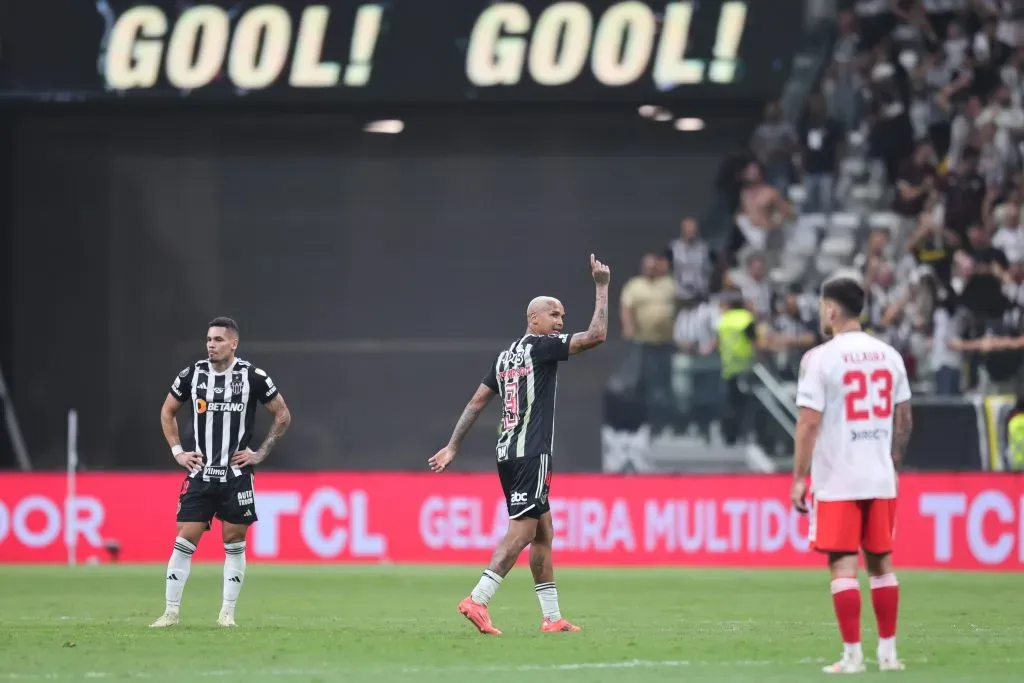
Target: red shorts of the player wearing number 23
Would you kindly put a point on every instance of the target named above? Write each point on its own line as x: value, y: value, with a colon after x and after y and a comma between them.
x: 848, y: 527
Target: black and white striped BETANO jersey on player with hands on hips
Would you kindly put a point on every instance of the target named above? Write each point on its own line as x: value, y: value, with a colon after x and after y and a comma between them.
x: 224, y: 412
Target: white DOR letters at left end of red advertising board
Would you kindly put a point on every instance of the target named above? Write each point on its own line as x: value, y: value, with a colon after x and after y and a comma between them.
x: 37, y: 522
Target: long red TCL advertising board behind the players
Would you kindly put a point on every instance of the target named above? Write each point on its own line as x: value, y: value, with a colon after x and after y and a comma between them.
x: 963, y: 522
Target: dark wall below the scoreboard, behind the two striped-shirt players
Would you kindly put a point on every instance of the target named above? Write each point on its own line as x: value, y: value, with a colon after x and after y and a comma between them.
x: 373, y: 276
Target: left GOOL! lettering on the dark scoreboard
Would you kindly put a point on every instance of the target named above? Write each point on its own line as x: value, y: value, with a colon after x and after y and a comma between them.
x: 192, y: 51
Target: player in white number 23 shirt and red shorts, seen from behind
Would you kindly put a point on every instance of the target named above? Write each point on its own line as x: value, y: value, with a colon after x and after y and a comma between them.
x: 854, y: 429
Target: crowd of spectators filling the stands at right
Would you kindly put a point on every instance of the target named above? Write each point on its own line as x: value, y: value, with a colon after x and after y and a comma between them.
x: 933, y: 92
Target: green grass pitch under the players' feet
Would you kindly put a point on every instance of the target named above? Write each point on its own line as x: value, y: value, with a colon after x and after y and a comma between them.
x: 401, y: 624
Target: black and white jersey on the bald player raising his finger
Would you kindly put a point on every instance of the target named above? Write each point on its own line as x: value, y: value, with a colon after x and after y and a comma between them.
x: 526, y: 377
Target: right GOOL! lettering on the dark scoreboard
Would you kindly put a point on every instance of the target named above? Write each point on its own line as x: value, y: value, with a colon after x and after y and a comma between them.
x: 621, y: 45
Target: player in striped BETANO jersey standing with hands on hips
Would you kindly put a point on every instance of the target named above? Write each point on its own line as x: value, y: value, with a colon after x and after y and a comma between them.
x: 224, y: 392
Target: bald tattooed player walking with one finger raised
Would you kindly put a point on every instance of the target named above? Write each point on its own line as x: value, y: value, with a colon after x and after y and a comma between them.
x: 525, y: 376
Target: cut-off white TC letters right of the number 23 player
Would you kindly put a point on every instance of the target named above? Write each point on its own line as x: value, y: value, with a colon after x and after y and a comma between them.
x: 993, y: 525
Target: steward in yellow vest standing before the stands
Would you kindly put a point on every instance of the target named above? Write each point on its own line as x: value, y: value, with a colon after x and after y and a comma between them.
x: 738, y: 345
